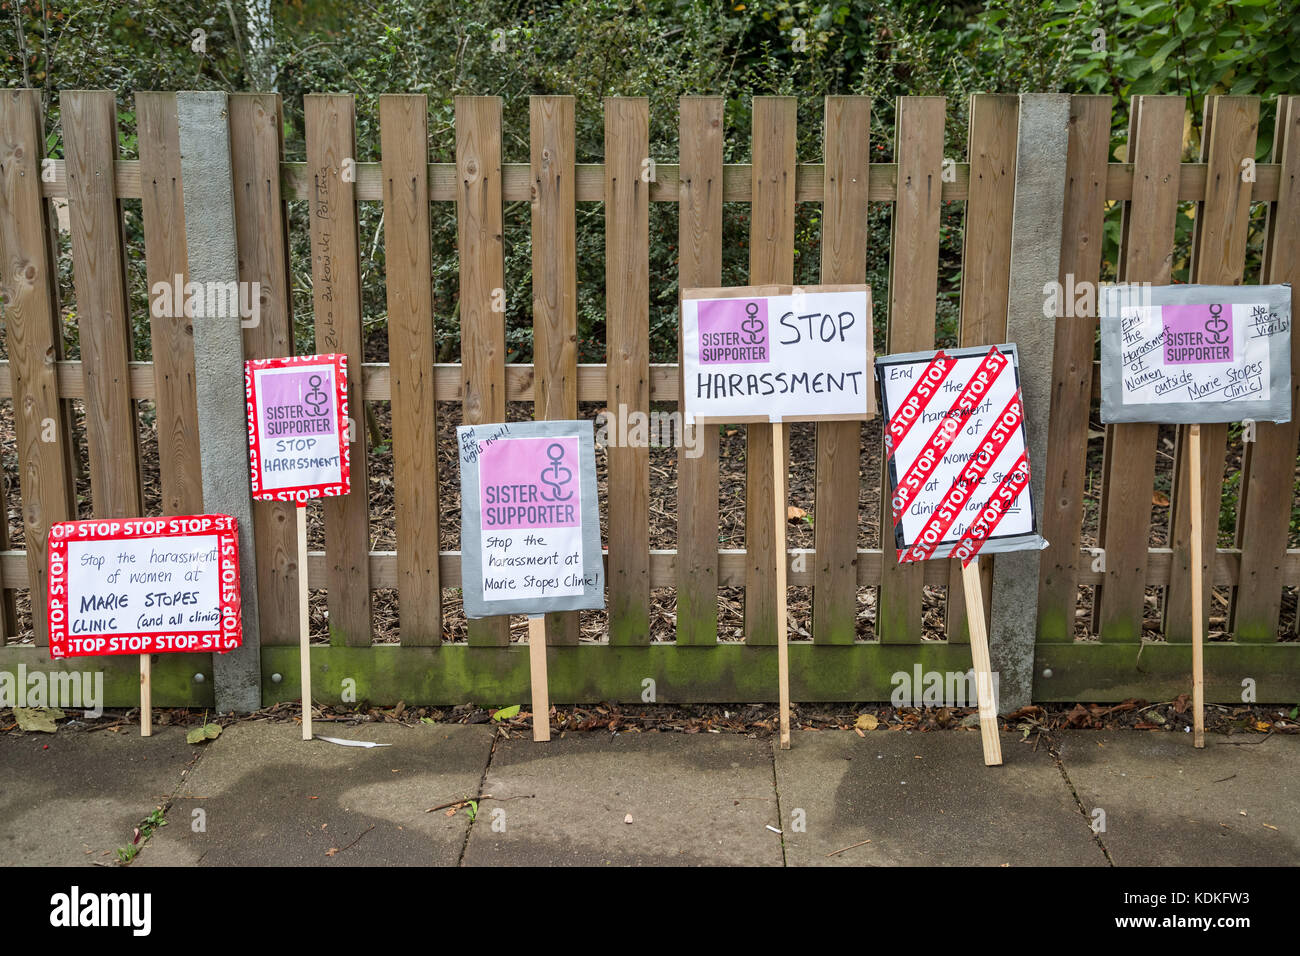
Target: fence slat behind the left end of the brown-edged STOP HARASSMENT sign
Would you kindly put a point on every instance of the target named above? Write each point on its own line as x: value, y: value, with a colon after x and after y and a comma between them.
x: 700, y: 266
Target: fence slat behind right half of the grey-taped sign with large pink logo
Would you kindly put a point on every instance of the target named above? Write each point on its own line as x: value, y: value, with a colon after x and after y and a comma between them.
x: 554, y: 230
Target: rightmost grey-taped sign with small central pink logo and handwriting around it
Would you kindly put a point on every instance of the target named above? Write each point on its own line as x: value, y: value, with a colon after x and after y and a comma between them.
x: 1195, y: 353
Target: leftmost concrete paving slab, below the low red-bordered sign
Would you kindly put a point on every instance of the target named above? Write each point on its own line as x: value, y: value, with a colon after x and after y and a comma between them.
x: 76, y: 803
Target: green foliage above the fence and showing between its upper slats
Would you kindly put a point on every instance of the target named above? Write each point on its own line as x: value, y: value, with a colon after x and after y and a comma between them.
x: 657, y: 49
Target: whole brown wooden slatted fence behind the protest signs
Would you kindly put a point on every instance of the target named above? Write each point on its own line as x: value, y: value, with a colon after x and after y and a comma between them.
x: 1113, y: 663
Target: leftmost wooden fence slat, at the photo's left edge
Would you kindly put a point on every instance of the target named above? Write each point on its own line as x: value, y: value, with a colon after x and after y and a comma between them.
x: 32, y: 338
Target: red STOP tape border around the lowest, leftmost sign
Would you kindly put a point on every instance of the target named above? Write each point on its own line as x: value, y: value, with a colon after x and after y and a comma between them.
x: 227, y: 637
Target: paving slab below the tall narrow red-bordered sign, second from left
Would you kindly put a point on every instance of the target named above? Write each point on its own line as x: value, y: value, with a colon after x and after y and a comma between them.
x: 270, y: 798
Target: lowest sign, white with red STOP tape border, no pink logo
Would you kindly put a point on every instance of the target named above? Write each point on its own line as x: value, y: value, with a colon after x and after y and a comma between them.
x: 145, y: 586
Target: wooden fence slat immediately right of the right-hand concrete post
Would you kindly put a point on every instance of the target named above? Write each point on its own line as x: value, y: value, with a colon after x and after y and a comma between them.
x: 1072, y: 374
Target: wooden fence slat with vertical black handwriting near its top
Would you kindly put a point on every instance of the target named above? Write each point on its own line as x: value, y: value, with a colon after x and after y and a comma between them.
x: 331, y: 128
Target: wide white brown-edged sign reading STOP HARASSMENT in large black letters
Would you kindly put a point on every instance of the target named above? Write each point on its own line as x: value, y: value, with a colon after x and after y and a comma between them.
x: 777, y: 354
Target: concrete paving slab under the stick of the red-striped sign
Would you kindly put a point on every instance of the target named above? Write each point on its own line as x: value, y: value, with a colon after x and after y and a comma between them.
x: 928, y: 801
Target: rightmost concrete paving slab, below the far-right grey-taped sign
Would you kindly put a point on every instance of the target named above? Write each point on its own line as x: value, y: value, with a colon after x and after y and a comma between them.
x: 1237, y: 803
